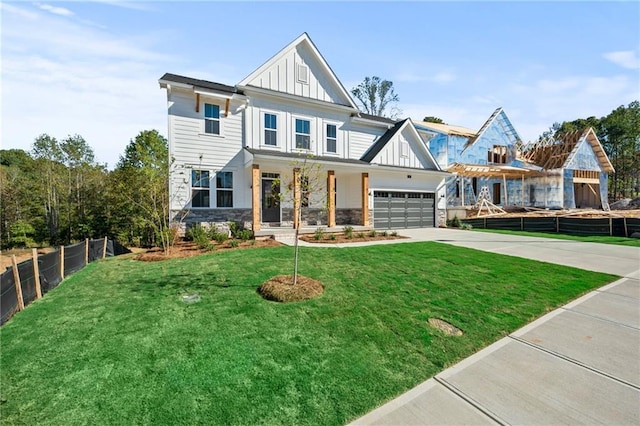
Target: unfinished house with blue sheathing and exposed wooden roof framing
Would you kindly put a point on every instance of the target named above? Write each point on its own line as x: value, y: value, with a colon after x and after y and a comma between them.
x: 570, y: 171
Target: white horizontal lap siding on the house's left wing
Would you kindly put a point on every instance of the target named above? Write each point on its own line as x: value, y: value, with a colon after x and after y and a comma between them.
x: 191, y: 148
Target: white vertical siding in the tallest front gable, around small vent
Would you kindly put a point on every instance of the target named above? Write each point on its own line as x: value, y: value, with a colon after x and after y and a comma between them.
x: 282, y: 77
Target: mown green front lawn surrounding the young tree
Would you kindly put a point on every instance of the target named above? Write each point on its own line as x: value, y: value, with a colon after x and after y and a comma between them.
x: 114, y: 344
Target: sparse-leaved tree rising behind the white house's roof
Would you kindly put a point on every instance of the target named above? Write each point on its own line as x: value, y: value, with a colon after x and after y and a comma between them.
x: 377, y: 97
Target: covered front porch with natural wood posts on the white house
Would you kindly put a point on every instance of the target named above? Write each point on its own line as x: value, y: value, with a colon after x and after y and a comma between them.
x: 289, y: 192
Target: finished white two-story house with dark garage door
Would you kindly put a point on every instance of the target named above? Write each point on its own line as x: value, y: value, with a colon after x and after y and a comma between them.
x: 235, y: 149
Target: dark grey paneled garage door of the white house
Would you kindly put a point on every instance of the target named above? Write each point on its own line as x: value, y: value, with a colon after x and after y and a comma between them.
x: 403, y: 209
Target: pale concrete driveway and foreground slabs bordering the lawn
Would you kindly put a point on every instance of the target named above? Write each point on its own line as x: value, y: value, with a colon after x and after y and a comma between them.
x: 579, y: 364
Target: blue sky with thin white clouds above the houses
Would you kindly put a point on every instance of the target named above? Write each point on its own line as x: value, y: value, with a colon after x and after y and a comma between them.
x: 92, y: 68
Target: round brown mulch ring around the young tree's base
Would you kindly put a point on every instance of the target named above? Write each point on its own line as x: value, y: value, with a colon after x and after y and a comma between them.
x: 281, y: 289
